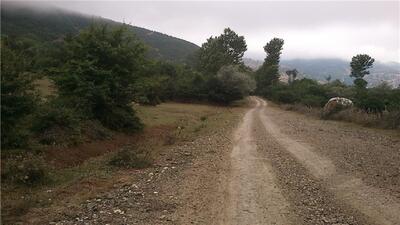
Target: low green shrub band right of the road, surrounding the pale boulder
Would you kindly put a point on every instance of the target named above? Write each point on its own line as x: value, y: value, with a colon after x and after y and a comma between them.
x: 378, y: 106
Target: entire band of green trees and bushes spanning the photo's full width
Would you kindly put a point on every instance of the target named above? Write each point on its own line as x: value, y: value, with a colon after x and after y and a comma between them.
x: 100, y: 73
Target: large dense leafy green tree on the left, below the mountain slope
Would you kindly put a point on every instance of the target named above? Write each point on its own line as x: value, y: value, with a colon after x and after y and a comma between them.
x: 98, y: 75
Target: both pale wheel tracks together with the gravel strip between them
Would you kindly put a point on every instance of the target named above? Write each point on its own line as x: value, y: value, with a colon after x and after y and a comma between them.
x: 256, y: 194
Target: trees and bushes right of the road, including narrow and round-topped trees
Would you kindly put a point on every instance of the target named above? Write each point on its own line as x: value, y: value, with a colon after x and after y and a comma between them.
x: 380, y: 100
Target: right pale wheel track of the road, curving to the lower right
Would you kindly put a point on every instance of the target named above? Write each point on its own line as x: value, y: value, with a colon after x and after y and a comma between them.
x: 378, y: 207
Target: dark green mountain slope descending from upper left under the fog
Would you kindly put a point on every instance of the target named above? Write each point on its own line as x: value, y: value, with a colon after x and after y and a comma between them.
x: 50, y: 25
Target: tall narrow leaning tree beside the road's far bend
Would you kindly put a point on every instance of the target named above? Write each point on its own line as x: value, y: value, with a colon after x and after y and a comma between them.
x: 268, y: 73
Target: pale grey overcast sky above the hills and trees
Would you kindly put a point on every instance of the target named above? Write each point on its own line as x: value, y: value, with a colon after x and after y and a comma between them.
x: 310, y: 29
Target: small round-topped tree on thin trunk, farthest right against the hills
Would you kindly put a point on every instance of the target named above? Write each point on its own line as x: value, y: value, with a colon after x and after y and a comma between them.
x: 360, y: 65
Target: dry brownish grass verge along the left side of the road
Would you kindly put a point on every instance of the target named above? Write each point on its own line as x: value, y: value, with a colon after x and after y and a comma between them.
x: 80, y: 172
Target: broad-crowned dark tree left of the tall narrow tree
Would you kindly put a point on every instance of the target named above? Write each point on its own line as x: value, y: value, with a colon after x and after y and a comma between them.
x: 226, y: 49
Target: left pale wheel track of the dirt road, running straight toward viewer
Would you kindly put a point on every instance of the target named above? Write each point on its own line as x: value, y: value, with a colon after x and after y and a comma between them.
x: 254, y: 196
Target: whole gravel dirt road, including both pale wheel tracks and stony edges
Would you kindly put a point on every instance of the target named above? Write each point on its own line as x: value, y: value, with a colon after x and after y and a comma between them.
x: 268, y: 167
